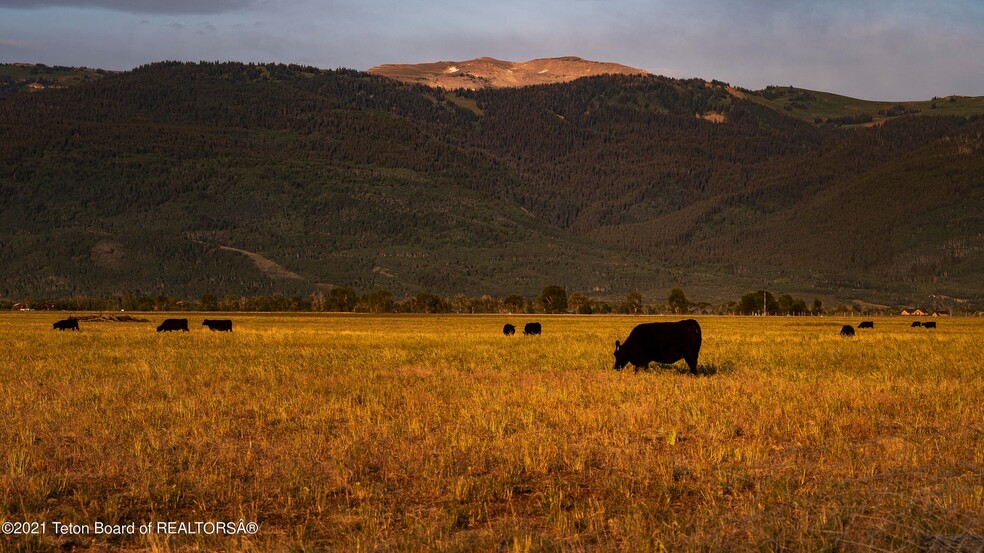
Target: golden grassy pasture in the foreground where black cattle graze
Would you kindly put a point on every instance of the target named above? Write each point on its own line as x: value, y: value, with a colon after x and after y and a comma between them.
x: 358, y: 432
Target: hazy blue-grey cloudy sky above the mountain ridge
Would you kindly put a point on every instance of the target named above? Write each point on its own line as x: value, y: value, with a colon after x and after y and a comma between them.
x: 873, y: 49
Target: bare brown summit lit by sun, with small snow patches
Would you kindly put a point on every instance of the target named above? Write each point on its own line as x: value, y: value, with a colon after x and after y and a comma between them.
x: 493, y: 73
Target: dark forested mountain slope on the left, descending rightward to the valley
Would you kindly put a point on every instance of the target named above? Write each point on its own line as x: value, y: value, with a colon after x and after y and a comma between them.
x: 144, y: 183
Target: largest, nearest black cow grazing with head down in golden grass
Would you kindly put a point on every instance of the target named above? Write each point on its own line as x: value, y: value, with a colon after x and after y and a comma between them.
x: 660, y: 342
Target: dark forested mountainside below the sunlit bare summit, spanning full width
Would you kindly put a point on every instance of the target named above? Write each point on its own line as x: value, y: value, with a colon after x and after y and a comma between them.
x: 182, y: 179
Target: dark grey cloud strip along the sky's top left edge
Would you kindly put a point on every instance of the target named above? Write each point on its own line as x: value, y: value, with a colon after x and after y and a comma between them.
x: 172, y: 7
